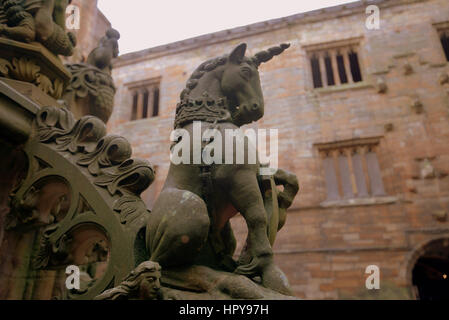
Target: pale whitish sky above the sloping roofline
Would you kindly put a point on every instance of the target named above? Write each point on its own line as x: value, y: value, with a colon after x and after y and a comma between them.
x: 149, y: 23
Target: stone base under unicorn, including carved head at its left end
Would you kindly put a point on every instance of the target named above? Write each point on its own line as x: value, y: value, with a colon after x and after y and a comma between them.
x: 147, y: 282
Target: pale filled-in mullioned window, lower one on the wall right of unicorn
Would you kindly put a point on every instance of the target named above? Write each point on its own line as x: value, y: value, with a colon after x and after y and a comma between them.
x: 352, y: 169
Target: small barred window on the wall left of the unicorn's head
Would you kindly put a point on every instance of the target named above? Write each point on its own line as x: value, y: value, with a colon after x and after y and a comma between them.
x: 145, y: 99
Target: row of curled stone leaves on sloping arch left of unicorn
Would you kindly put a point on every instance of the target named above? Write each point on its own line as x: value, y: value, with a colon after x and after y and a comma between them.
x: 107, y: 158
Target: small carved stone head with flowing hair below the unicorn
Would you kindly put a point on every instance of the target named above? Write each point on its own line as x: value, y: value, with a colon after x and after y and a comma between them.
x: 143, y: 283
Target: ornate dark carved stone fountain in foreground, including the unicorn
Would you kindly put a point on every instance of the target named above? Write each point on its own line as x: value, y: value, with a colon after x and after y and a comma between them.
x: 70, y: 193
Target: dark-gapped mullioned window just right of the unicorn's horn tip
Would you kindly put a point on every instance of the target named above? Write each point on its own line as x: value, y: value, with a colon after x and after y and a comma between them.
x: 334, y: 64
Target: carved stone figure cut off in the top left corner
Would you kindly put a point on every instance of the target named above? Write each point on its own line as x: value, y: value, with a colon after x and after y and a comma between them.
x: 37, y: 20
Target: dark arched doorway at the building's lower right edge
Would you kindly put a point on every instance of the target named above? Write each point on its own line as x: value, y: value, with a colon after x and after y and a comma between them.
x: 430, y: 272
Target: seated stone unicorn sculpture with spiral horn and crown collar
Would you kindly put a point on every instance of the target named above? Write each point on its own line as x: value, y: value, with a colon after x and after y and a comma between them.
x: 189, y: 224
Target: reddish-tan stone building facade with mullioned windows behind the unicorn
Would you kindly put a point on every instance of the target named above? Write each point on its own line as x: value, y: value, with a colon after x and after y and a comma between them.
x: 363, y: 120
